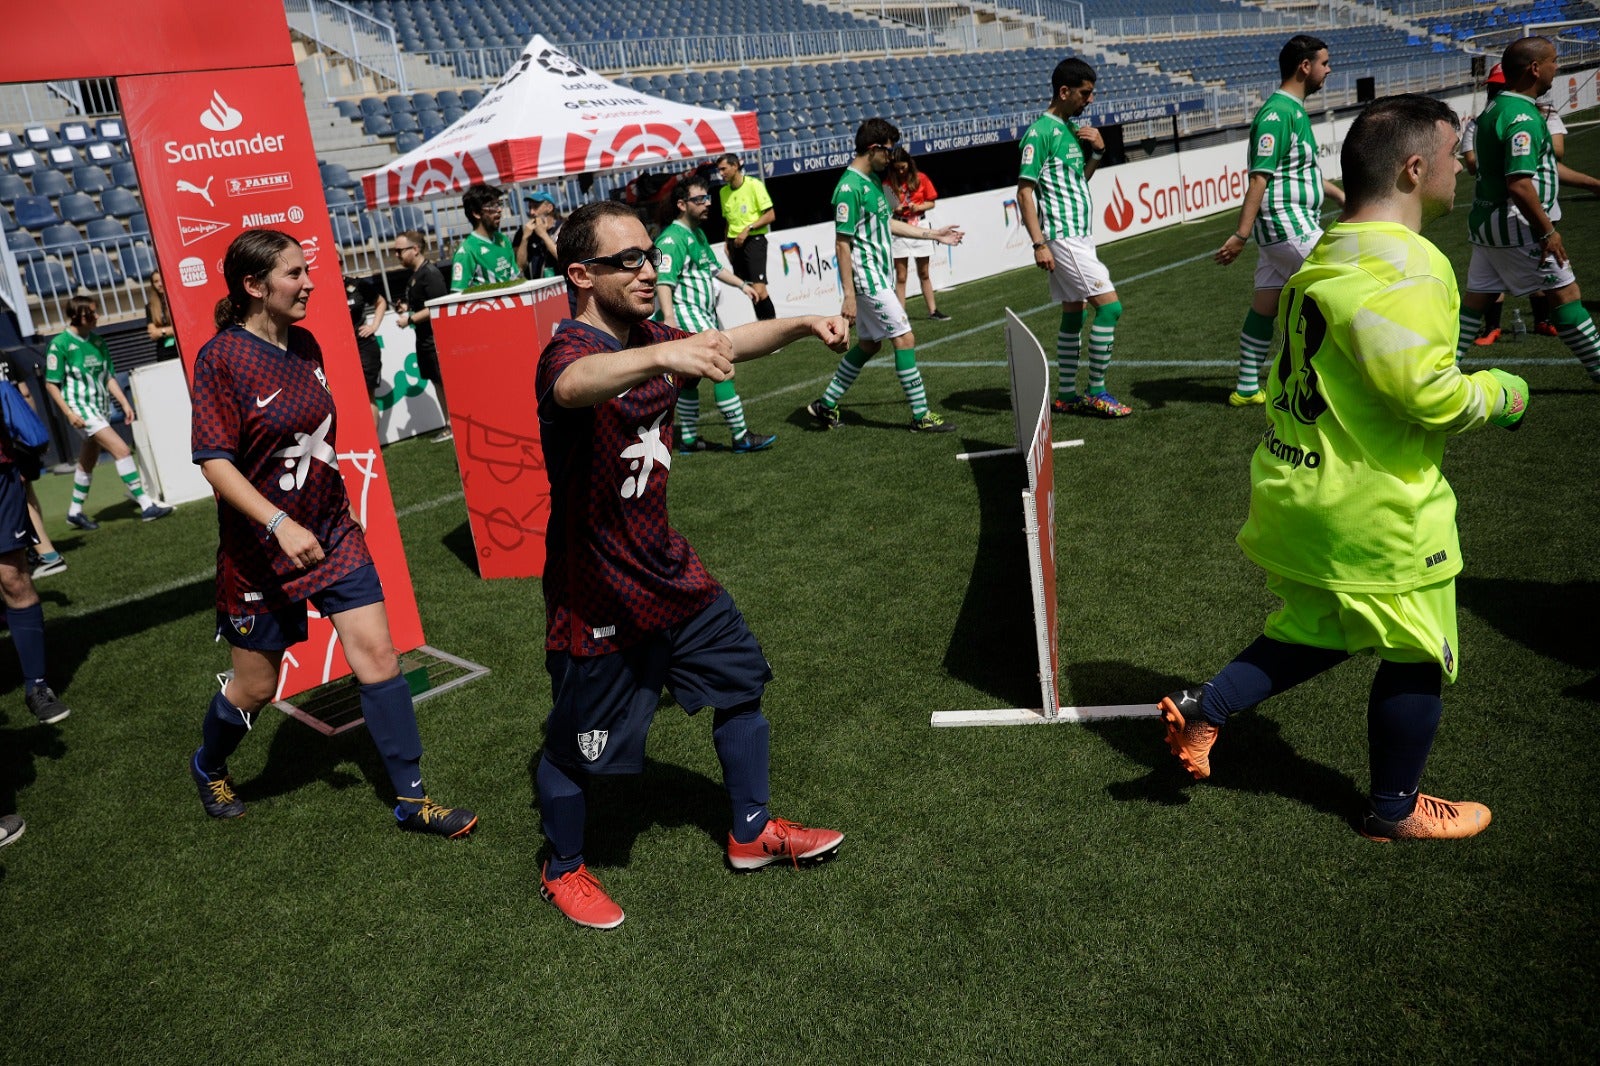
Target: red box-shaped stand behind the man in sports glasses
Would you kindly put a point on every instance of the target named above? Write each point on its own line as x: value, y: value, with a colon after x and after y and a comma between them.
x: 489, y: 350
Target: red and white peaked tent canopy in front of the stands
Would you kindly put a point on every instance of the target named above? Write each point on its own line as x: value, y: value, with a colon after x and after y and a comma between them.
x: 551, y: 118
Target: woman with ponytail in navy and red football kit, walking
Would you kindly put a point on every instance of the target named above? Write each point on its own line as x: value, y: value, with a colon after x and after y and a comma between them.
x: 265, y: 439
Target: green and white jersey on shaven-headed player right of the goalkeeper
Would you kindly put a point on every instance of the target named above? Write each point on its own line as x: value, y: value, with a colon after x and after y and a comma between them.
x: 1513, y: 142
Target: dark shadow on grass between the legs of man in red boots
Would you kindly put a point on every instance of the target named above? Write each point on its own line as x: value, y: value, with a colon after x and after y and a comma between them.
x: 625, y: 808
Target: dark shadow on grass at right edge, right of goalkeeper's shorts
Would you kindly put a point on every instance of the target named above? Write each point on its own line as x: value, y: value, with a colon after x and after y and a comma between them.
x: 1561, y: 628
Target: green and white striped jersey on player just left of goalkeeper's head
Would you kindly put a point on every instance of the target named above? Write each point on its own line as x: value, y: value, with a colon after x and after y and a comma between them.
x: 1284, y: 148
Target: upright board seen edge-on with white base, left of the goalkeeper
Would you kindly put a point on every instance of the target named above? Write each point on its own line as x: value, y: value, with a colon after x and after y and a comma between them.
x: 1031, y: 374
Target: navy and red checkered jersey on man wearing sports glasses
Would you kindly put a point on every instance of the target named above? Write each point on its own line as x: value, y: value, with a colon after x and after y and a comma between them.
x: 615, y: 571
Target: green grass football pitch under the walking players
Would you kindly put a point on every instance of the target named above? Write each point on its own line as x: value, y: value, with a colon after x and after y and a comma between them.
x: 1052, y: 894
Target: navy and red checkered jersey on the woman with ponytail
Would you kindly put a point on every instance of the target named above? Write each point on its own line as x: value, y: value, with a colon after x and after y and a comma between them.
x: 271, y: 415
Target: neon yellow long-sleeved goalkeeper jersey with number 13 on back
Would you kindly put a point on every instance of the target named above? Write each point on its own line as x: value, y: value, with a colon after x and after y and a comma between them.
x: 1346, y: 484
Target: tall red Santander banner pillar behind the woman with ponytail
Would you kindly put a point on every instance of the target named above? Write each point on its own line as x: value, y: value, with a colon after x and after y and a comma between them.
x: 220, y: 153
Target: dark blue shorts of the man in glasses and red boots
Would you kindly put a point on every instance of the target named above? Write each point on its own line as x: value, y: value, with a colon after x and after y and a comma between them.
x: 604, y: 705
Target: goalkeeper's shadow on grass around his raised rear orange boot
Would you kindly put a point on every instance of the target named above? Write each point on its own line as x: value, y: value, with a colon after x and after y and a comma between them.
x: 1255, y: 758
